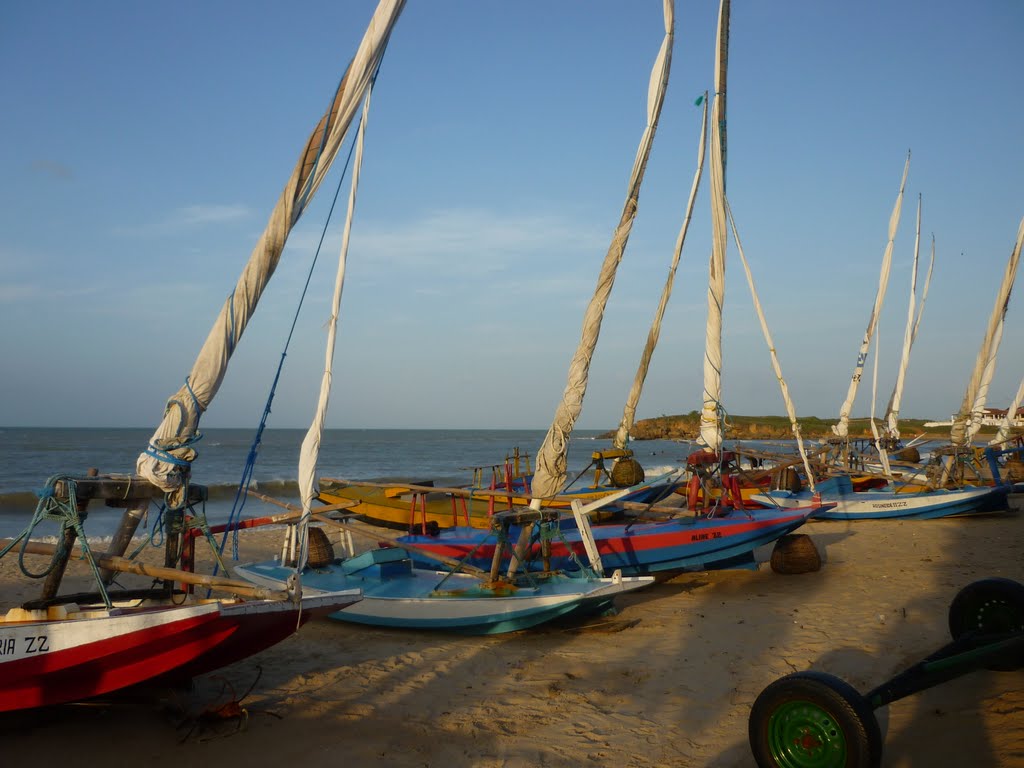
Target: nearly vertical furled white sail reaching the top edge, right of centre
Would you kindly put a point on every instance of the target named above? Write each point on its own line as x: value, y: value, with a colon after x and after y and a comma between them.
x: 711, y: 413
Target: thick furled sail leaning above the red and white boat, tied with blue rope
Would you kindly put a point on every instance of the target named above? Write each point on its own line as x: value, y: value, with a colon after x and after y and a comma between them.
x: 166, y: 461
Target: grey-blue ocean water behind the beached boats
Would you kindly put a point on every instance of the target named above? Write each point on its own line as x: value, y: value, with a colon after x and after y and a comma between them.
x: 29, y: 457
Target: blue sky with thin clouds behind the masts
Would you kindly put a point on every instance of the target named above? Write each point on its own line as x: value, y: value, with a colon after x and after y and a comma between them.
x: 146, y: 144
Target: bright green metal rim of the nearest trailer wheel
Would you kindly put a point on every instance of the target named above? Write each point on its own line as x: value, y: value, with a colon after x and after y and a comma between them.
x: 801, y: 735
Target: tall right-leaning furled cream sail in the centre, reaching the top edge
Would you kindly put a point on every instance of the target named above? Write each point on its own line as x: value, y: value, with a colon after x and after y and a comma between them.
x: 550, y: 473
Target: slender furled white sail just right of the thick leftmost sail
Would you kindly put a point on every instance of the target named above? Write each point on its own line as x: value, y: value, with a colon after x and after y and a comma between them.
x: 310, y: 453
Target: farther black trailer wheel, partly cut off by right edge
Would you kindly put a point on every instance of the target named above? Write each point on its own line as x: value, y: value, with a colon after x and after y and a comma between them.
x: 991, y: 607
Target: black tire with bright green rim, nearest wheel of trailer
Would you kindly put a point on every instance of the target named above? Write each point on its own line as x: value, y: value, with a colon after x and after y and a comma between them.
x: 814, y: 720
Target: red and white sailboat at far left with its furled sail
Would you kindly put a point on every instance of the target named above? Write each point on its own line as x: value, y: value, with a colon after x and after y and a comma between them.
x: 68, y: 648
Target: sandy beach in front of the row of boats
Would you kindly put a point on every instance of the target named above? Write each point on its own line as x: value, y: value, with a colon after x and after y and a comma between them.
x: 669, y: 681
